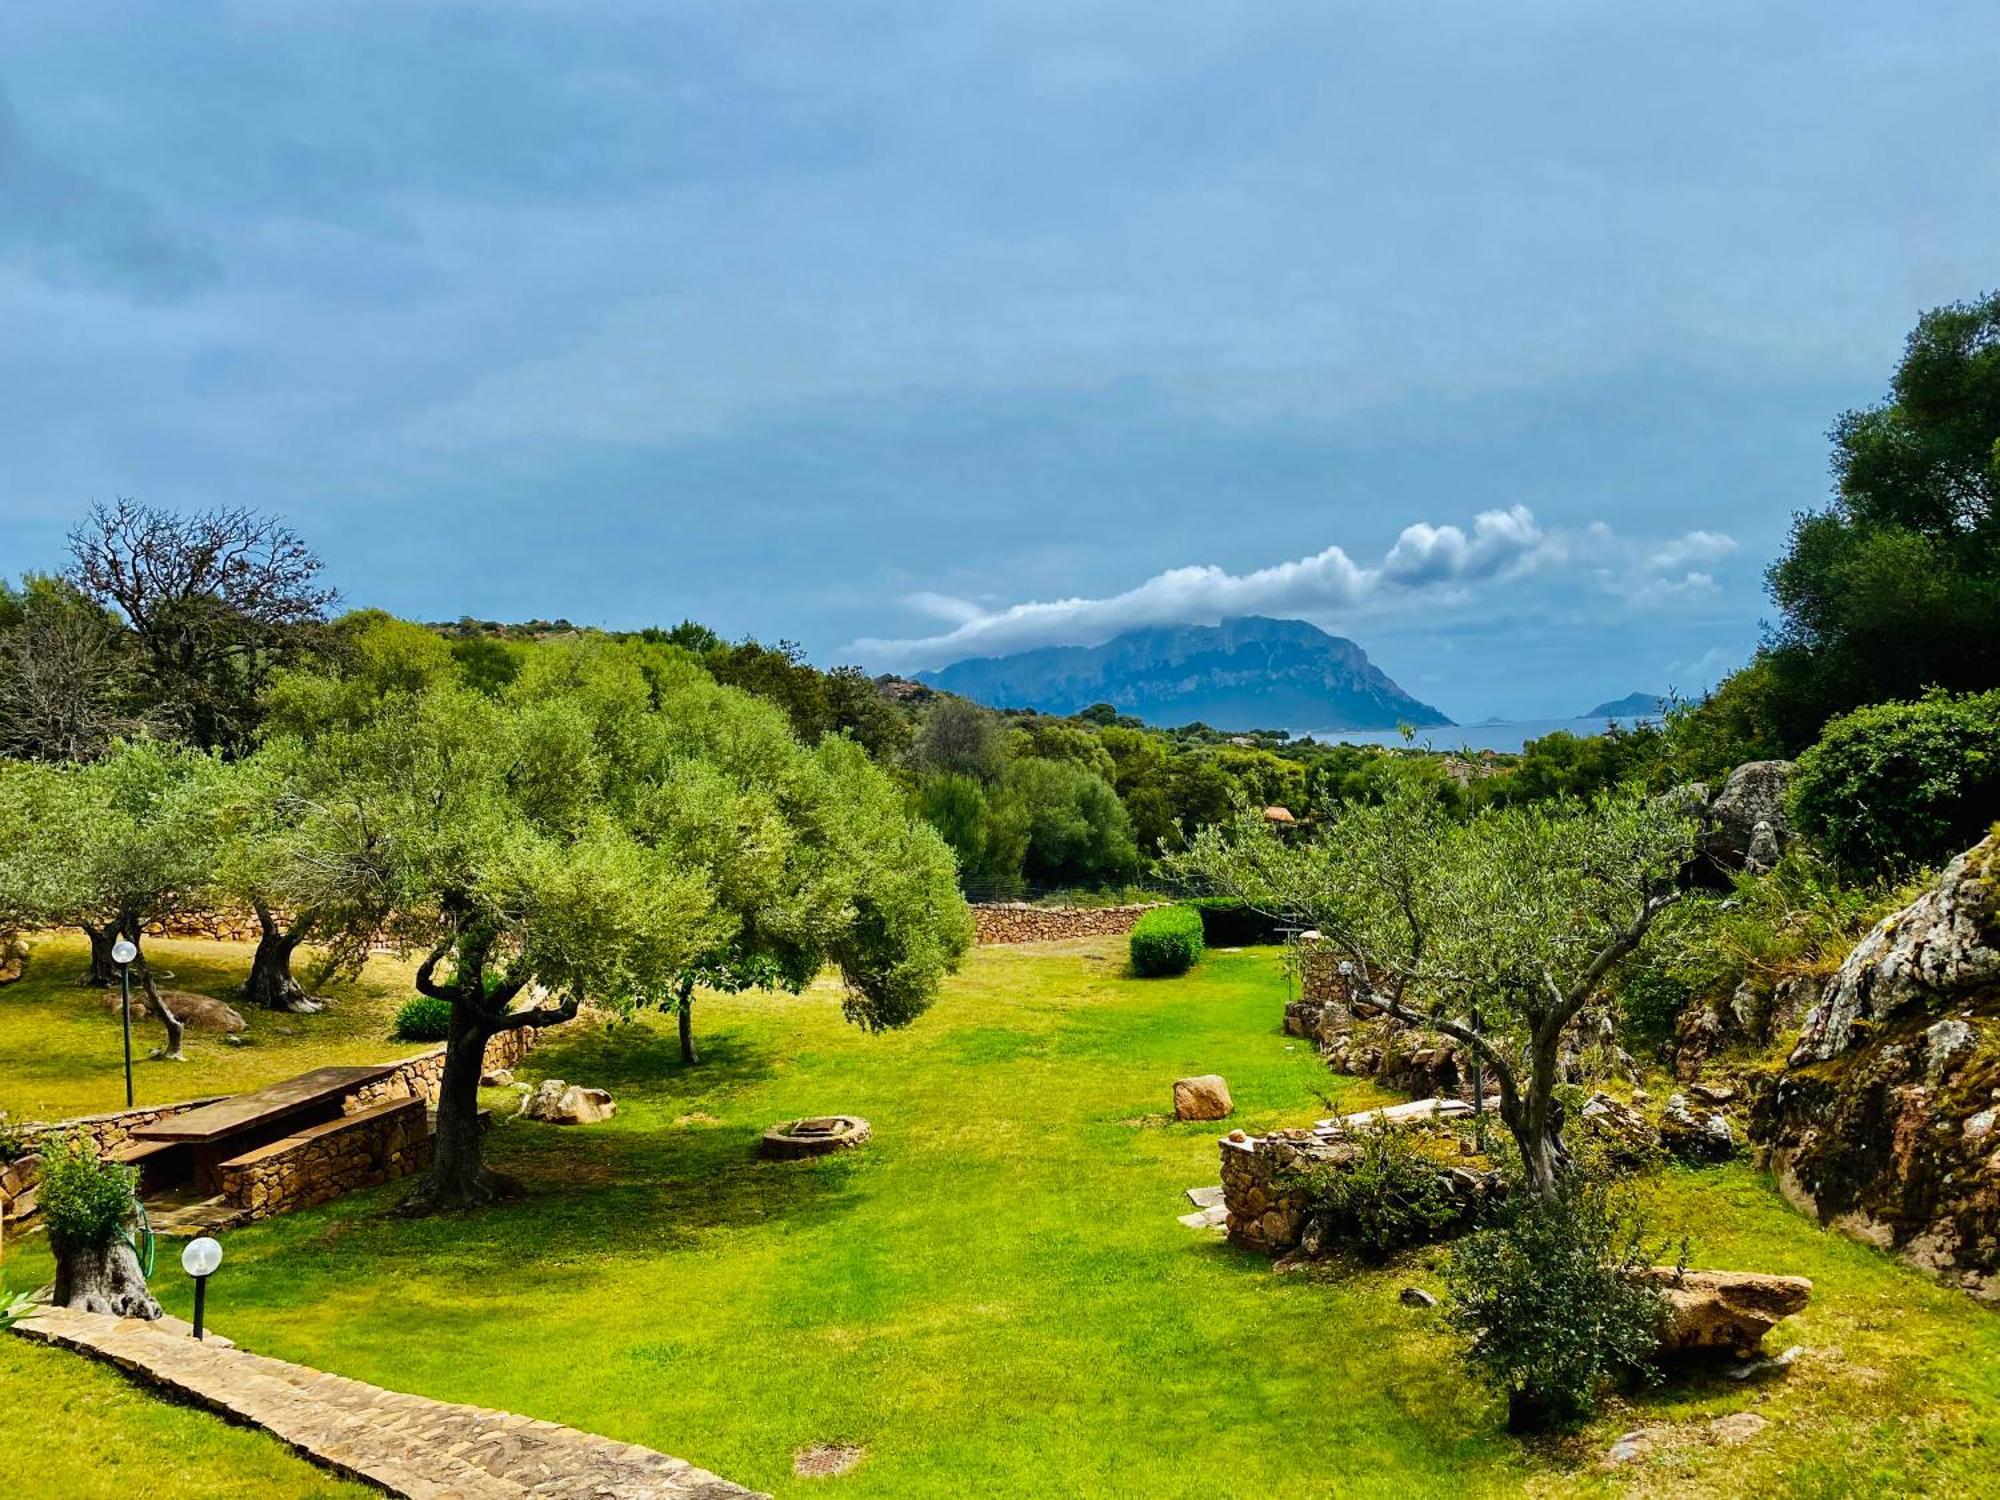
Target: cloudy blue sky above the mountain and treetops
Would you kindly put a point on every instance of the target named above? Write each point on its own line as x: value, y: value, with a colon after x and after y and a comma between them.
x: 1499, y: 337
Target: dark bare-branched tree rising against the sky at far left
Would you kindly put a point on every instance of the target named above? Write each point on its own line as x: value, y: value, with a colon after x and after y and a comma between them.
x: 217, y: 599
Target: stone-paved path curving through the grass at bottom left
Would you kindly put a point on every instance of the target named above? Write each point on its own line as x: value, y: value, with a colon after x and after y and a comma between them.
x: 407, y: 1445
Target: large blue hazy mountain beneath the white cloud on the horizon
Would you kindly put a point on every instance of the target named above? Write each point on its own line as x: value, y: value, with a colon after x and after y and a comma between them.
x: 1239, y: 675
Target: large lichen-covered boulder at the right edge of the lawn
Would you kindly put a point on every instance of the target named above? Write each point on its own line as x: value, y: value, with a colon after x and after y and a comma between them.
x: 1883, y: 1121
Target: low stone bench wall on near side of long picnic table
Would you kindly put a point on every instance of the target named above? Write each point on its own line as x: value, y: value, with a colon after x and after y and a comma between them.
x: 357, y: 1151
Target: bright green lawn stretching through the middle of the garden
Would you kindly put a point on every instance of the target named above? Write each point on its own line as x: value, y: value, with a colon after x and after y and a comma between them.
x: 995, y: 1297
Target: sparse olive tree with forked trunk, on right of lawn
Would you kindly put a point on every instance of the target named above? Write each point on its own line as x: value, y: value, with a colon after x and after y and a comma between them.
x: 1517, y: 917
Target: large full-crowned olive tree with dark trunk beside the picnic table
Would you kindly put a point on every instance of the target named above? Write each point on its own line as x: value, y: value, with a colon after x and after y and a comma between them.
x: 597, y: 831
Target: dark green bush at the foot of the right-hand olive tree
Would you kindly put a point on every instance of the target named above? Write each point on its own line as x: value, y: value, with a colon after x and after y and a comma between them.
x: 1547, y: 1311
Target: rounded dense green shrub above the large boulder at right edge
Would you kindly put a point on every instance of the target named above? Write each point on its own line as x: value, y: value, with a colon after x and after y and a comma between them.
x: 1897, y: 787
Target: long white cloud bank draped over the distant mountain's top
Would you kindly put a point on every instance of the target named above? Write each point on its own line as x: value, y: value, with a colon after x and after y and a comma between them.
x: 1431, y: 567
